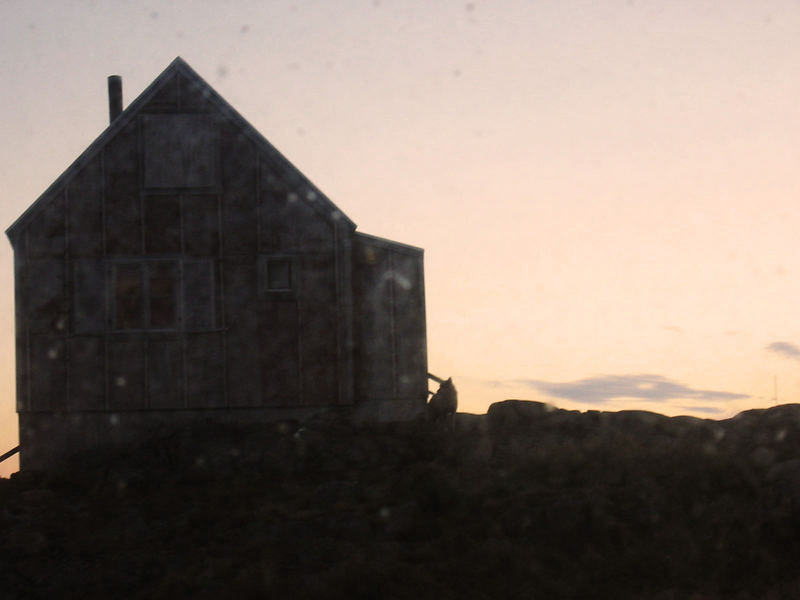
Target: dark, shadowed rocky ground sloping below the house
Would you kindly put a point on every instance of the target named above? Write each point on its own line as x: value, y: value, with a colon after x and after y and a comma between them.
x: 523, y: 502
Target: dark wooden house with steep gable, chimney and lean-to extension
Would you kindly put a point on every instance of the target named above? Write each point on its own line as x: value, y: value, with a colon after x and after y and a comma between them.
x: 182, y: 269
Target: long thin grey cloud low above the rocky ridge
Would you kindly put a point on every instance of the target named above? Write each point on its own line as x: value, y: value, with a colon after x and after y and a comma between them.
x: 650, y: 388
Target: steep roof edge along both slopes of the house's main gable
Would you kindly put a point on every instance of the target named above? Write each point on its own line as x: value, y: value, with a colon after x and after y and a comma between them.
x: 177, y: 66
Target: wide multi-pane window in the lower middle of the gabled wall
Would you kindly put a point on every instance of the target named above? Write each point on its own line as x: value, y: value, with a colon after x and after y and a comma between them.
x: 164, y: 295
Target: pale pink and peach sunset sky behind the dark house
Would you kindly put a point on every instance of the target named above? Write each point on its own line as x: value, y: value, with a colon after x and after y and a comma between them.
x: 608, y: 193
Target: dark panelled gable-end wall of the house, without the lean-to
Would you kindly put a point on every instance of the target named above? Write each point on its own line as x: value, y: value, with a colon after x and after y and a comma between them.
x: 199, y: 234
